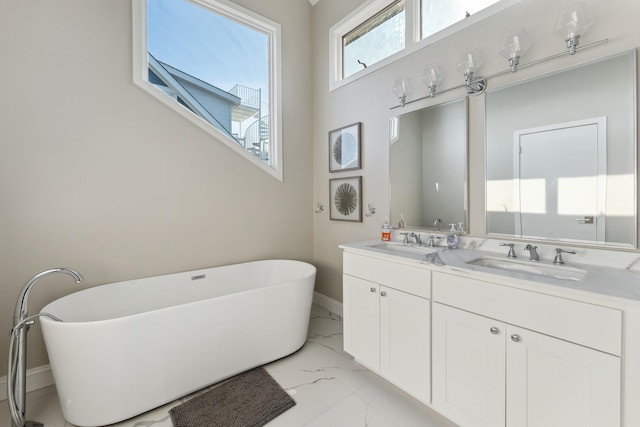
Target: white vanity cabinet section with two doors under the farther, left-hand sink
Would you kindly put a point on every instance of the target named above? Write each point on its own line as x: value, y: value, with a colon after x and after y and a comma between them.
x: 387, y: 320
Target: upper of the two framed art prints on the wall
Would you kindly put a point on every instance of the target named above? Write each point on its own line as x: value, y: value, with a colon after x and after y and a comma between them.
x: 344, y: 148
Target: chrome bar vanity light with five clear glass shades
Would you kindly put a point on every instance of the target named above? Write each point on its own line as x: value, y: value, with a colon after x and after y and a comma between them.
x: 572, y: 23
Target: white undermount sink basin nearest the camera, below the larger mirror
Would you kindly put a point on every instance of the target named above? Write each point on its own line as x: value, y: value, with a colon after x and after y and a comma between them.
x: 530, y: 267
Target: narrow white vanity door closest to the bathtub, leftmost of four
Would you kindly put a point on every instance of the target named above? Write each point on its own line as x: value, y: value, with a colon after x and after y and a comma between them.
x: 362, y: 320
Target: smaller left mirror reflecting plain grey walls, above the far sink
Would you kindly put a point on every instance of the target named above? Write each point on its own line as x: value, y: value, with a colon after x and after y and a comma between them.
x: 428, y: 167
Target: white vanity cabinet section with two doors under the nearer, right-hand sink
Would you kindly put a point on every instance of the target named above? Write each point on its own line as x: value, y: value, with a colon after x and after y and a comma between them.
x: 510, y: 357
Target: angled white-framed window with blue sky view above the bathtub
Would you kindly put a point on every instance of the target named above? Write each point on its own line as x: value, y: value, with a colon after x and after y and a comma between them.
x: 218, y: 65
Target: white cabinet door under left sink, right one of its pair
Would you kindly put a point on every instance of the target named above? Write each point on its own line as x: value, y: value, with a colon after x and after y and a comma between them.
x: 404, y: 341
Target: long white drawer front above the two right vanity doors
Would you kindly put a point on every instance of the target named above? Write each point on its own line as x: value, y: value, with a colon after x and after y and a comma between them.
x: 582, y: 323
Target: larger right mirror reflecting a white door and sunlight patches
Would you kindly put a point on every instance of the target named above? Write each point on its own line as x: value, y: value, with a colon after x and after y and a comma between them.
x: 561, y: 156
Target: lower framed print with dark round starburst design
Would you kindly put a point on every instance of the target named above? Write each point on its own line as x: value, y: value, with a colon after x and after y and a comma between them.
x: 346, y: 199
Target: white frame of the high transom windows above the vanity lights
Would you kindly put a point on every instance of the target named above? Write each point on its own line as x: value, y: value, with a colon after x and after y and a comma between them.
x: 413, y: 40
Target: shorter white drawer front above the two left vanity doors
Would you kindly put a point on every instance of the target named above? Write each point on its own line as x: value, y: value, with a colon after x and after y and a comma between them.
x: 406, y: 278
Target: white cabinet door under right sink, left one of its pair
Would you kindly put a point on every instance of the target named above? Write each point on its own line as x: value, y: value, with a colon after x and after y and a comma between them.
x: 468, y: 367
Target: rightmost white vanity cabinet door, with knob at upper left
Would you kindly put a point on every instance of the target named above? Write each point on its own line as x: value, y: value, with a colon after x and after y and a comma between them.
x: 554, y: 383
